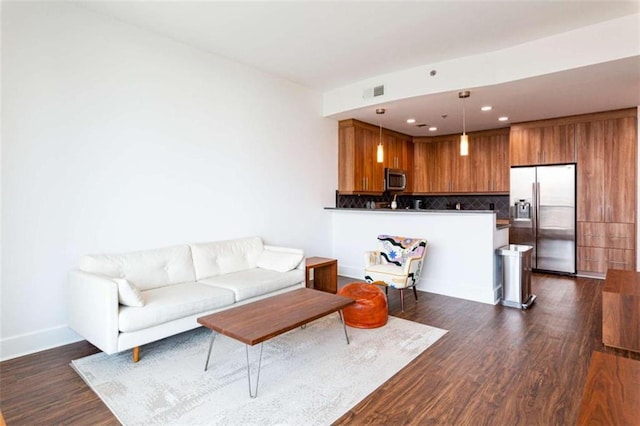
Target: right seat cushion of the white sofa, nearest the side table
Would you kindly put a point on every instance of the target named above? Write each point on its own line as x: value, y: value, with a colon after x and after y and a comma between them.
x: 255, y: 282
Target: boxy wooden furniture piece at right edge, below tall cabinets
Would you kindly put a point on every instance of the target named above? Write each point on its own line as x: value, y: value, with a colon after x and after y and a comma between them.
x: 621, y: 310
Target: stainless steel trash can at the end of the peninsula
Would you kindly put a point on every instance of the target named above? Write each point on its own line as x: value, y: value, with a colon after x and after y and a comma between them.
x: 516, y: 275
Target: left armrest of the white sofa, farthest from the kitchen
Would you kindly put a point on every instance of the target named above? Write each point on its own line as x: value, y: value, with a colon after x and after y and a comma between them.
x: 93, y: 309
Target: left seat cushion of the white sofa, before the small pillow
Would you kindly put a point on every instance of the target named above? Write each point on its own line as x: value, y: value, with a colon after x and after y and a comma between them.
x: 172, y: 302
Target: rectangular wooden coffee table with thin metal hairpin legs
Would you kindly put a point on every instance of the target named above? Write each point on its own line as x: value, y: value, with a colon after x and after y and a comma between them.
x: 264, y: 319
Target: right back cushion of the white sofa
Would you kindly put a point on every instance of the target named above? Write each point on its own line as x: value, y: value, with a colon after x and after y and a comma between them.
x: 225, y: 257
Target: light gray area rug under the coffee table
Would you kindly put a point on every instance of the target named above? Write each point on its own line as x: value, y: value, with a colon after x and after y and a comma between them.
x: 309, y: 376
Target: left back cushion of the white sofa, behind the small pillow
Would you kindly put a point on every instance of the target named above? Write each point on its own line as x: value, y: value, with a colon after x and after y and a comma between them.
x: 145, y: 269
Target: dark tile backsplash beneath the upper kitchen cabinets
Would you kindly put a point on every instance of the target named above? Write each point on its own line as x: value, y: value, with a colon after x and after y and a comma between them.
x: 431, y: 202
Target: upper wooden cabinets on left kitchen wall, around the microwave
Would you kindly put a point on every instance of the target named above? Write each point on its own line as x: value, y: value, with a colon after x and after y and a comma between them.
x: 358, y: 169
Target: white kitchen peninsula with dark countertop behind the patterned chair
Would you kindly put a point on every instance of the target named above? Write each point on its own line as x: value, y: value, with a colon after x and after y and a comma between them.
x: 460, y: 260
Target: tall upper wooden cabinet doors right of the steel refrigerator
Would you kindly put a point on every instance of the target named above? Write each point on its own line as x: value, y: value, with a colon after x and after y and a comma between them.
x: 607, y: 170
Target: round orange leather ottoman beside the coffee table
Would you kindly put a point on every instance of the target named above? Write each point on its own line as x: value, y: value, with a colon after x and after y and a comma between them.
x: 370, y: 309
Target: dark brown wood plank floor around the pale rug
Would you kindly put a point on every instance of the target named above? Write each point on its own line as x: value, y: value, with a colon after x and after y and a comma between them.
x: 496, y: 366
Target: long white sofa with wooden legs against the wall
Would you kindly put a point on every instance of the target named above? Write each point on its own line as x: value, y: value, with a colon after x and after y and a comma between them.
x: 122, y: 301
